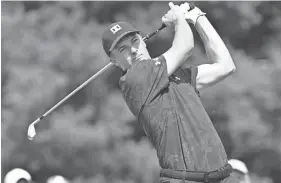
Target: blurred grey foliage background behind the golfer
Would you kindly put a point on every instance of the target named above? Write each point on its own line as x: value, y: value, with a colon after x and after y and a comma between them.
x: 50, y: 48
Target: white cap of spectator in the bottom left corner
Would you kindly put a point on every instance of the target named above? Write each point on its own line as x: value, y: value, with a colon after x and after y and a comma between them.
x: 16, y: 174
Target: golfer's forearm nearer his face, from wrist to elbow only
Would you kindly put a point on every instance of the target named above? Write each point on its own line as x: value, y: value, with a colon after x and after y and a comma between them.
x: 183, y: 41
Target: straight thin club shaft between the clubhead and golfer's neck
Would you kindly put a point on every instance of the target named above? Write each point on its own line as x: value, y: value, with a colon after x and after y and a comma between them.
x: 73, y: 92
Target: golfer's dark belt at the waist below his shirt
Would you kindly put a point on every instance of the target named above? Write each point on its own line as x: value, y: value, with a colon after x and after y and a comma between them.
x: 198, y: 176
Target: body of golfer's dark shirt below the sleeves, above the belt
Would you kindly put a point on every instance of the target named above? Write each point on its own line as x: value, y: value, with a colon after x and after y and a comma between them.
x: 181, y: 131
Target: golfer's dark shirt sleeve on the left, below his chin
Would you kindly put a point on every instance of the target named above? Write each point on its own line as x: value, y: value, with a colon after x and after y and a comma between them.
x: 146, y: 79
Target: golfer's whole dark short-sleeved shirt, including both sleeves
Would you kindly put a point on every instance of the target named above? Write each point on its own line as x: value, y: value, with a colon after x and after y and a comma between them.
x: 172, y: 116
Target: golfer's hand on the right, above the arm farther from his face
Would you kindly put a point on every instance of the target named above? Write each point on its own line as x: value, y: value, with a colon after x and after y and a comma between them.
x: 191, y: 15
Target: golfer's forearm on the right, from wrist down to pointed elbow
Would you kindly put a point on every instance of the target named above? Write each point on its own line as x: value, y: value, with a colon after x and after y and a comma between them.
x: 216, y: 50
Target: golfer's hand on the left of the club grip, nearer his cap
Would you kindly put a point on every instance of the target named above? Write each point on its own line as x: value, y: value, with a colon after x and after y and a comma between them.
x: 173, y: 16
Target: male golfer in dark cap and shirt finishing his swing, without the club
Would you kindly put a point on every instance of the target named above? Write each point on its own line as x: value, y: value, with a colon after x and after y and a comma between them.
x: 165, y: 97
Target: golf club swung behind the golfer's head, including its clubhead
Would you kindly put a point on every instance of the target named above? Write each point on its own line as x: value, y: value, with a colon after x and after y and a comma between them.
x: 31, y: 128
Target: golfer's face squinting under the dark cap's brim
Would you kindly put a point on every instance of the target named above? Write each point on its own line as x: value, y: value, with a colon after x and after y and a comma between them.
x: 129, y: 49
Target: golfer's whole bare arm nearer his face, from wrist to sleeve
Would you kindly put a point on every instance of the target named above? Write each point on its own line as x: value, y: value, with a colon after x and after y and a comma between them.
x: 182, y: 46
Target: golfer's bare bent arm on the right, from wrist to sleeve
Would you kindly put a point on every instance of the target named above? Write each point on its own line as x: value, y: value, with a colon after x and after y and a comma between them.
x: 221, y: 65
